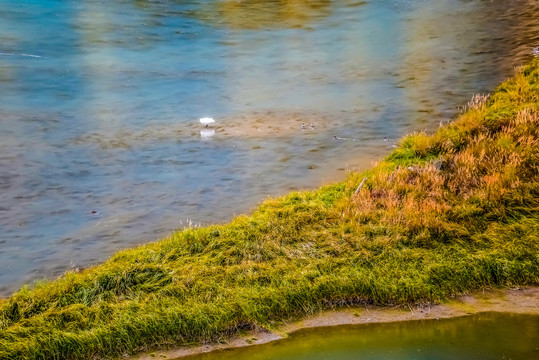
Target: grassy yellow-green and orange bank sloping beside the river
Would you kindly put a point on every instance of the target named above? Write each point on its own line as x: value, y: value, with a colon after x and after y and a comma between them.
x: 442, y: 215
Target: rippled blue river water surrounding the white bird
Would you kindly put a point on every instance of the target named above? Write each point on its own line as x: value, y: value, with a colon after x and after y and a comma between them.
x: 100, y: 144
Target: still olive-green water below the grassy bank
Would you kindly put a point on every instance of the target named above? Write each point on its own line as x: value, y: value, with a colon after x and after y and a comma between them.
x: 482, y: 336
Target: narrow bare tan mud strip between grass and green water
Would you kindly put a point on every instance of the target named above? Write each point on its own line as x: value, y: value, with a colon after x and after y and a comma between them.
x: 515, y: 300
